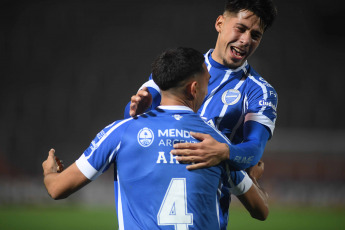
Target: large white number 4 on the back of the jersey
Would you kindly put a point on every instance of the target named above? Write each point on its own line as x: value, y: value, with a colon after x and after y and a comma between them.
x: 173, y: 210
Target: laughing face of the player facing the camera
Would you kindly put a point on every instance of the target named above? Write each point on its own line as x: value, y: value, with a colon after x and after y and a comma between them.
x: 238, y: 37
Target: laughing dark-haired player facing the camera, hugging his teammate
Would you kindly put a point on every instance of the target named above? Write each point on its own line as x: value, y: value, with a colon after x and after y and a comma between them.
x: 240, y: 103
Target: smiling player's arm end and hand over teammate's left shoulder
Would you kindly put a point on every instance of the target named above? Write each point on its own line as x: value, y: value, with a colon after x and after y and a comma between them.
x: 148, y: 97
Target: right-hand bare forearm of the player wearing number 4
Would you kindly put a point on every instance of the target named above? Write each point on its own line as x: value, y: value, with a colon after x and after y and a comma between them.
x: 255, y: 199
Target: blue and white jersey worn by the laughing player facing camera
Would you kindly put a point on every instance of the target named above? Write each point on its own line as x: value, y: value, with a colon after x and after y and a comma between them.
x: 238, y: 100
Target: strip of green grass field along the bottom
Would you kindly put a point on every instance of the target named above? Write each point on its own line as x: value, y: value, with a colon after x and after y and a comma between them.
x: 75, y: 218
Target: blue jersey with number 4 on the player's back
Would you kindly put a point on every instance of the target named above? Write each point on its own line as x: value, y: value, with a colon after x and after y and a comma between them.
x: 152, y: 190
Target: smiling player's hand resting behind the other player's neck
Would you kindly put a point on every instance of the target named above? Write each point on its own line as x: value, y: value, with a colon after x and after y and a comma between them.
x: 140, y: 102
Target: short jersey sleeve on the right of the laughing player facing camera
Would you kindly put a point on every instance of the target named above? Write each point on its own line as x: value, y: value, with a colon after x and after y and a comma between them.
x: 262, y: 103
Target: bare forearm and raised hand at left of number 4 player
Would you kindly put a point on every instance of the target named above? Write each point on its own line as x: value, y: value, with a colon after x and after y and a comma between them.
x: 61, y: 183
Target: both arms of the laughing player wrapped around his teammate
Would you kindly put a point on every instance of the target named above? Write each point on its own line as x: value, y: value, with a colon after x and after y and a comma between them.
x: 209, y: 152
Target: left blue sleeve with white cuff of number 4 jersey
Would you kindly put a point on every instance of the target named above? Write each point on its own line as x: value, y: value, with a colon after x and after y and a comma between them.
x: 102, y: 151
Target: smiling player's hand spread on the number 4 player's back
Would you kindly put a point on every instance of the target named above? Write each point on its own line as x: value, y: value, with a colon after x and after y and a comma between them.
x: 204, y: 154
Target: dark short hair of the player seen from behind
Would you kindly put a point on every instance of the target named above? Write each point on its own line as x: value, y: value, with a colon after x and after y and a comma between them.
x: 174, y: 66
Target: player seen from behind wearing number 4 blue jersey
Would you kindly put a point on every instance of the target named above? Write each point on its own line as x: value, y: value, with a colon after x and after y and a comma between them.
x: 152, y: 190
